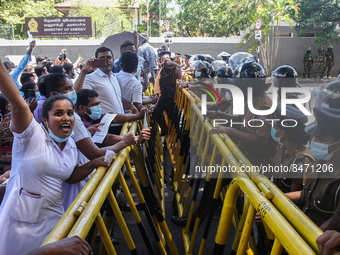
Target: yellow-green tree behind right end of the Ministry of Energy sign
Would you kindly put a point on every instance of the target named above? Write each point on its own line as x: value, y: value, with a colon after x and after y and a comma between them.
x: 105, y: 20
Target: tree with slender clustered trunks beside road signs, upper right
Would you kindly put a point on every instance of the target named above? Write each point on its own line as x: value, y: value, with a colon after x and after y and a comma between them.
x: 272, y: 13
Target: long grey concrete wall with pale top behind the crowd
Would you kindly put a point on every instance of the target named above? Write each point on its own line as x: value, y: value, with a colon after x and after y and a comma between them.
x: 291, y: 49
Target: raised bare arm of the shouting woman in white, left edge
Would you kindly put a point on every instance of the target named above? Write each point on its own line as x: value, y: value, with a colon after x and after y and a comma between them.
x: 21, y: 114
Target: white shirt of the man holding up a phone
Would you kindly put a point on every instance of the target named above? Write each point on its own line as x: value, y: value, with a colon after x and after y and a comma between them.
x: 108, y: 90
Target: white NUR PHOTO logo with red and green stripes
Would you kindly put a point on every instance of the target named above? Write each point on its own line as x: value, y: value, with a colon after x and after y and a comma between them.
x: 238, y: 100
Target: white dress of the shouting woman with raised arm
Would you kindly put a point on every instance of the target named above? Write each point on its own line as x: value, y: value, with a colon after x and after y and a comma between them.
x: 32, y: 205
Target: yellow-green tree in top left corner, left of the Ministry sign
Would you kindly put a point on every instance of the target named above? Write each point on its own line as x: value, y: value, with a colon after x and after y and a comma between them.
x: 14, y: 12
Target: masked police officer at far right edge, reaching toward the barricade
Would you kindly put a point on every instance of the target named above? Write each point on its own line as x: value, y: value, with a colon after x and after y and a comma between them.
x: 320, y: 195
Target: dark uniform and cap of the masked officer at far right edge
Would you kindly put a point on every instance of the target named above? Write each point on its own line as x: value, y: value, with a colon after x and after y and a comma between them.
x: 322, y: 190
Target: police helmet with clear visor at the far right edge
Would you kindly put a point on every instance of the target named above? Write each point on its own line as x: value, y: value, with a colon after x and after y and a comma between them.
x: 328, y: 96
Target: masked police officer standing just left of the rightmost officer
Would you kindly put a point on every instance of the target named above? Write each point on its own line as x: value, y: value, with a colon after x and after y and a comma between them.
x: 293, y: 158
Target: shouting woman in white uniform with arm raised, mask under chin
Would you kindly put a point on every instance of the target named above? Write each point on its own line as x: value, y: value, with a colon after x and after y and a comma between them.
x: 43, y: 157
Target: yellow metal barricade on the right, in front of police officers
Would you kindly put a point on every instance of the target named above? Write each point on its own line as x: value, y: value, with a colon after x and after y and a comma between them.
x: 285, y: 224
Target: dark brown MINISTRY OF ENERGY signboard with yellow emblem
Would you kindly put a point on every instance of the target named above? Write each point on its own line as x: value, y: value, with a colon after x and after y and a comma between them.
x: 59, y: 27
